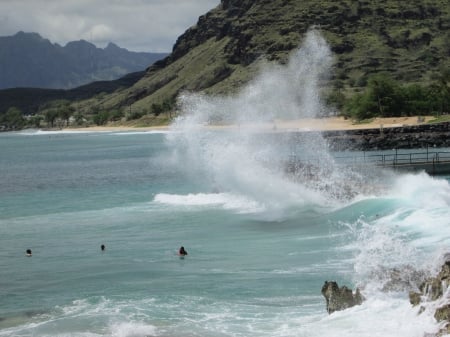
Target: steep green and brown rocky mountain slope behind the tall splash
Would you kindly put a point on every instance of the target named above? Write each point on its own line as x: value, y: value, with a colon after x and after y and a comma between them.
x: 410, y: 40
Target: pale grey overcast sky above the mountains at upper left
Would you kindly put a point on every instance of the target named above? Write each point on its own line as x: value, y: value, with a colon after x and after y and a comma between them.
x: 138, y: 25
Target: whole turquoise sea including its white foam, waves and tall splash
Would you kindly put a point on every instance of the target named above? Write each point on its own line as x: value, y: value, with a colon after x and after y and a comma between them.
x: 261, y: 238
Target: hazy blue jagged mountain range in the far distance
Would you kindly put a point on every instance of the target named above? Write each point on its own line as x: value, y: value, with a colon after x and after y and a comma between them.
x: 31, y: 61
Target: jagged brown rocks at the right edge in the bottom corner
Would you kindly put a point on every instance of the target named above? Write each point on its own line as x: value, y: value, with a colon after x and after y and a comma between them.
x: 435, y: 289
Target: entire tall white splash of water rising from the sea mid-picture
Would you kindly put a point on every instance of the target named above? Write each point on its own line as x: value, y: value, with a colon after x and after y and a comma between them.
x: 246, y: 161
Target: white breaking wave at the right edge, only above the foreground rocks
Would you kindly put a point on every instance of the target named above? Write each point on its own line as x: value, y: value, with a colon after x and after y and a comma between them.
x: 395, y: 249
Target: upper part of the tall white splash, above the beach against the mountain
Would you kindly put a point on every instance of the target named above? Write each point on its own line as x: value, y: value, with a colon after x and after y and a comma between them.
x: 283, y: 92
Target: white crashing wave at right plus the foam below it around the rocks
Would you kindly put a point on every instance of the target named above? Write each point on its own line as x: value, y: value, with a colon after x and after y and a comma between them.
x: 398, y: 240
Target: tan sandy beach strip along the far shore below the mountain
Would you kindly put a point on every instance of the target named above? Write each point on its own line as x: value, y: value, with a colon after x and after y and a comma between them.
x: 304, y: 124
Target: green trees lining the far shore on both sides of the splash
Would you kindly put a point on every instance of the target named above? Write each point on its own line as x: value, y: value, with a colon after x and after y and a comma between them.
x: 382, y: 97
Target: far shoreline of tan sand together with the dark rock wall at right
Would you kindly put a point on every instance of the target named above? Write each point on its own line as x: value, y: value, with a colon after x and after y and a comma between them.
x: 340, y: 133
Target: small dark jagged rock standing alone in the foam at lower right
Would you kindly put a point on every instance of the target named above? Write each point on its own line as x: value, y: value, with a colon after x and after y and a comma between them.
x: 340, y: 298
